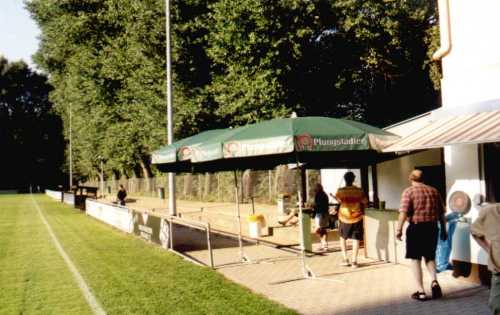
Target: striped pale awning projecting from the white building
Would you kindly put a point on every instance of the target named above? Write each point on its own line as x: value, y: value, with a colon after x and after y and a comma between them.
x: 482, y: 127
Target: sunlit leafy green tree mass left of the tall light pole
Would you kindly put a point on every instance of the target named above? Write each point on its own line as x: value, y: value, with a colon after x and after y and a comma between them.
x: 105, y: 67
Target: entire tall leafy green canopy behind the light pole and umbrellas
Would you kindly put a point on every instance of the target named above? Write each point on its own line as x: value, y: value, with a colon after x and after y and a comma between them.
x: 234, y: 62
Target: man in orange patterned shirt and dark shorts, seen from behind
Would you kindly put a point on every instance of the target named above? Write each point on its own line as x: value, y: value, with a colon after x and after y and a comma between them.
x: 352, y: 206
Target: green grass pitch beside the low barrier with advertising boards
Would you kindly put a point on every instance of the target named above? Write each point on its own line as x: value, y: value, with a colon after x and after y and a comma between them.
x: 125, y: 274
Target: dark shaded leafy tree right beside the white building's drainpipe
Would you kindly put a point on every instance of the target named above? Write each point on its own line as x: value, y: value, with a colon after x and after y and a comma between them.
x: 390, y: 39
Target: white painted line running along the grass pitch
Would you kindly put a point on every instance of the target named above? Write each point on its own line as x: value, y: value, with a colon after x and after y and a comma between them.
x: 91, y: 300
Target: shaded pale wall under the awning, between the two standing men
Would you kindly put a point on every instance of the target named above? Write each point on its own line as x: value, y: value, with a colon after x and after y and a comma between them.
x: 392, y: 176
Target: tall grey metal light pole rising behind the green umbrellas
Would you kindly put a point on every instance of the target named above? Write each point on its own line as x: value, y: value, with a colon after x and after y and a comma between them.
x: 171, y: 176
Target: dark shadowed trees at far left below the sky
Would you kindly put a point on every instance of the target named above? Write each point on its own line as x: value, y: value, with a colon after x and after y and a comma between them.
x: 30, y: 133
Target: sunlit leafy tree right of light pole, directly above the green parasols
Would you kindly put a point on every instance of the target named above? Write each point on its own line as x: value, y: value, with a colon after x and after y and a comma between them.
x: 257, y: 48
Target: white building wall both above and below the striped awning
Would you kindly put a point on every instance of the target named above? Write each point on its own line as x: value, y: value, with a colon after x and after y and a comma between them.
x: 471, y: 72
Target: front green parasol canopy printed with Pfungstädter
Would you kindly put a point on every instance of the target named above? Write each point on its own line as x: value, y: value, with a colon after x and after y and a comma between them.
x: 316, y: 141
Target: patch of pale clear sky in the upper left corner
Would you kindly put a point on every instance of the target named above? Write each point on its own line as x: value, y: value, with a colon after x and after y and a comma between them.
x: 18, y: 32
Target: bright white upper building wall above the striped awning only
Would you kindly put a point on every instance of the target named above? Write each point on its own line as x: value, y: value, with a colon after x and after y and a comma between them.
x: 471, y: 70
